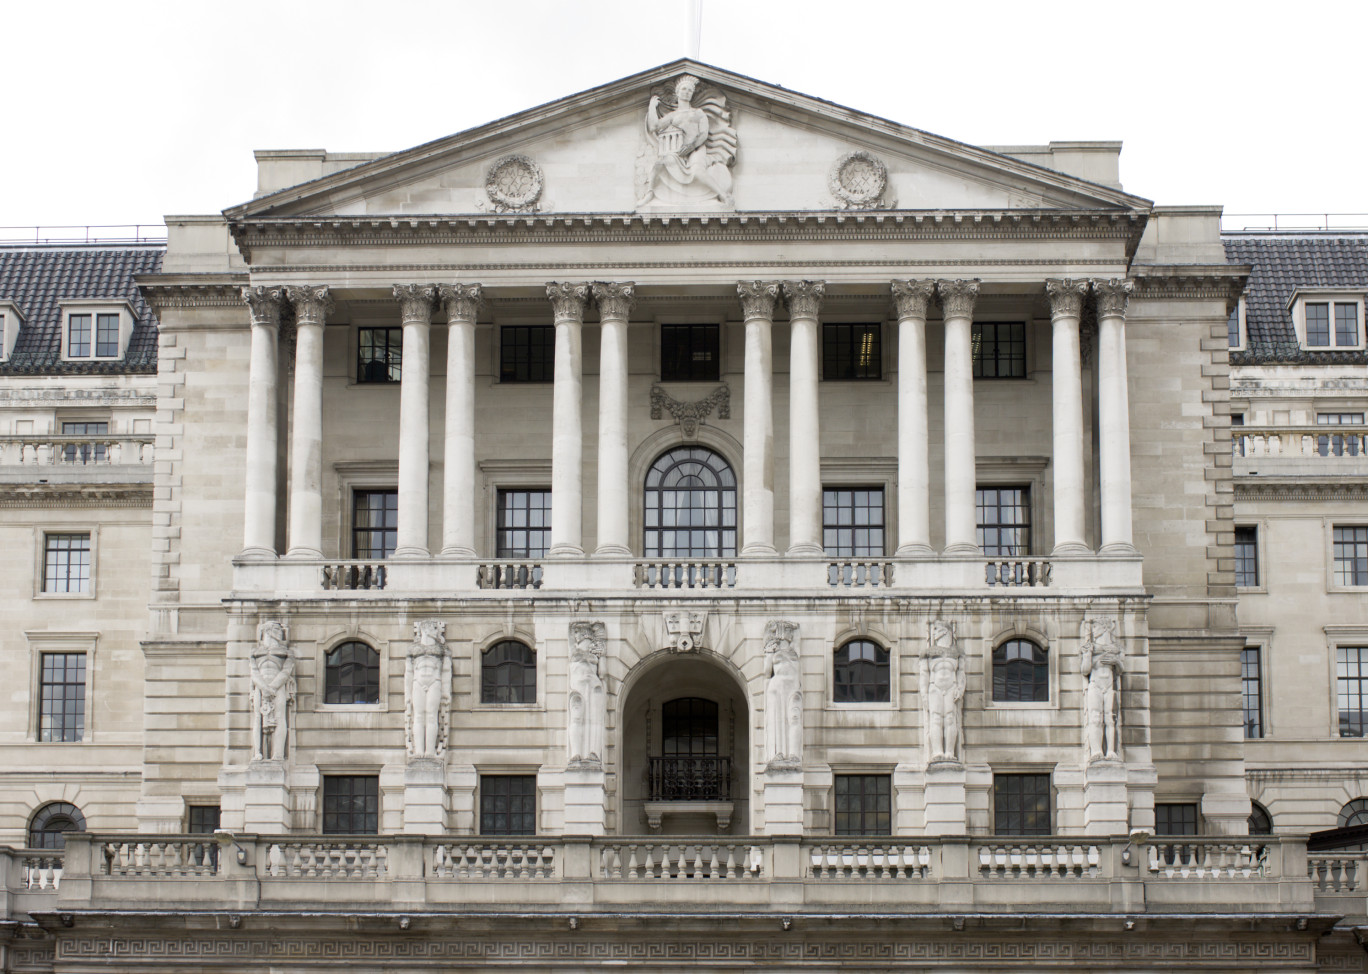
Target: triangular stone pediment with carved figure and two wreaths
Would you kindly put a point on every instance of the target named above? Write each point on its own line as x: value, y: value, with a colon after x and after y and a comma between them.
x: 731, y: 144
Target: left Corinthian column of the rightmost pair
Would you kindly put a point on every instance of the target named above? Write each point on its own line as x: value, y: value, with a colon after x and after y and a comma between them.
x: 1066, y: 308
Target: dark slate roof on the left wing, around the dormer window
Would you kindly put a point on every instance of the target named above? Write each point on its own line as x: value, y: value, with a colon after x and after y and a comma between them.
x: 36, y: 278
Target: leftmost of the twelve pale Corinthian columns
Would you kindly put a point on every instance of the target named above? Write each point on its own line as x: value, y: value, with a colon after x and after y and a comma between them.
x: 263, y: 399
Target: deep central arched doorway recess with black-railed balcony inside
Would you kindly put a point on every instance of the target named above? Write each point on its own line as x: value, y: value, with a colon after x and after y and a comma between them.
x: 686, y: 749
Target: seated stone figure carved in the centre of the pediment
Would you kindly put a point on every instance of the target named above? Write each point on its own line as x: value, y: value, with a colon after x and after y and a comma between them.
x: 690, y: 150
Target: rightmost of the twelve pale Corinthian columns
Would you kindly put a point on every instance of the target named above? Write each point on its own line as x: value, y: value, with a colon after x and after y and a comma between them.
x: 1114, y: 414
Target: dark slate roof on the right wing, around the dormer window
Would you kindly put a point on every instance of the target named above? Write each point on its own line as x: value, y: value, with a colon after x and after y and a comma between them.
x: 1282, y: 263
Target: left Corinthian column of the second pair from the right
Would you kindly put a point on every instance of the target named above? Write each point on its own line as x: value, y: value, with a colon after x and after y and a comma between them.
x: 915, y: 485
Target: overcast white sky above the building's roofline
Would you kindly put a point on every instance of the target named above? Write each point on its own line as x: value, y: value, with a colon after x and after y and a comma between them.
x: 122, y: 113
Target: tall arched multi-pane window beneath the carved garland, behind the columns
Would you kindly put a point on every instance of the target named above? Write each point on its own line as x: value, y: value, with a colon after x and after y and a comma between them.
x: 690, y: 505
